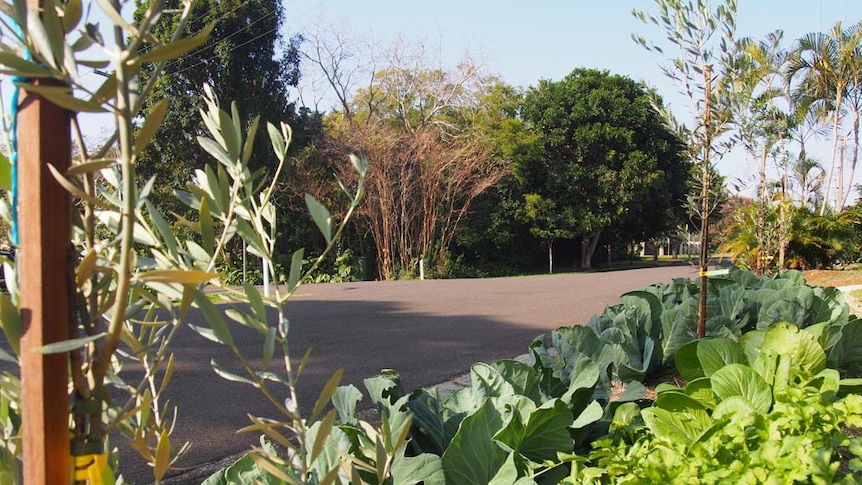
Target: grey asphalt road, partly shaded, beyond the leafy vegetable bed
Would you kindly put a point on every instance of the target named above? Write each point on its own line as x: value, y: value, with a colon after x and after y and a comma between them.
x: 429, y: 331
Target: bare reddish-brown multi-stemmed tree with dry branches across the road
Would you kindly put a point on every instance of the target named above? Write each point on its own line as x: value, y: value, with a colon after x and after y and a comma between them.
x: 413, y: 120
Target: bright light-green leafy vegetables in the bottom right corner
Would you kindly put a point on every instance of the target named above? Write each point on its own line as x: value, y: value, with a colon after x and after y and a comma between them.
x: 752, y: 411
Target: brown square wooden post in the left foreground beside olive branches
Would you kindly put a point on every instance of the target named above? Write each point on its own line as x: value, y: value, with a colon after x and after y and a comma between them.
x: 44, y: 234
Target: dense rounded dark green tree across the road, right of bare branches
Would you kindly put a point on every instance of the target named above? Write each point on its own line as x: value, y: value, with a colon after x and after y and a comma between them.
x: 605, y: 158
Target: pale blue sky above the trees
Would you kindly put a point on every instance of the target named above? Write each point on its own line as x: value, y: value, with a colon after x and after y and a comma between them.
x: 524, y: 42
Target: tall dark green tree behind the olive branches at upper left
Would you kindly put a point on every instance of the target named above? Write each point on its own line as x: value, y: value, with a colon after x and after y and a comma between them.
x: 245, y: 60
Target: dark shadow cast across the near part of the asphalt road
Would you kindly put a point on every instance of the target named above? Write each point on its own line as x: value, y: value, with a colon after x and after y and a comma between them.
x: 362, y: 337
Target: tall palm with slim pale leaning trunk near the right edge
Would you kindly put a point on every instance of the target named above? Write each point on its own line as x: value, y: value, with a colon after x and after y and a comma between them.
x: 828, y: 64
